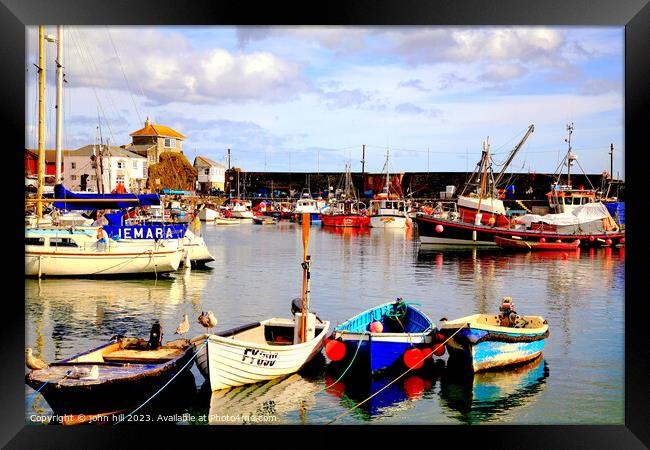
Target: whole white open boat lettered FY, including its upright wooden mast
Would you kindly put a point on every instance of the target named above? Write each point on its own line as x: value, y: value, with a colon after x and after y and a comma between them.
x: 263, y: 350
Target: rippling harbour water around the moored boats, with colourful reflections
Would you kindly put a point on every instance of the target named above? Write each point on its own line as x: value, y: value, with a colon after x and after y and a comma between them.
x: 579, y: 380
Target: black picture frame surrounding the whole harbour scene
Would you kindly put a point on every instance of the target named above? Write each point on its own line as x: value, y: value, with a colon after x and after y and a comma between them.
x: 634, y: 15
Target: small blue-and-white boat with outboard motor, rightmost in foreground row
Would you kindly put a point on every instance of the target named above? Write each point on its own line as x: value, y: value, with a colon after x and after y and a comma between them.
x: 487, y: 341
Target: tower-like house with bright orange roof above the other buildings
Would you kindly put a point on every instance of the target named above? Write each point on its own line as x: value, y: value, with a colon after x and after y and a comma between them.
x: 152, y: 140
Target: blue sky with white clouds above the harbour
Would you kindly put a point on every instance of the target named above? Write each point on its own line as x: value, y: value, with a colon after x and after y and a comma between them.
x: 294, y: 99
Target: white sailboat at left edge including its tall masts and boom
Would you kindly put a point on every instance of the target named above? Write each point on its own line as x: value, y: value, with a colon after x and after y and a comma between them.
x: 69, y: 251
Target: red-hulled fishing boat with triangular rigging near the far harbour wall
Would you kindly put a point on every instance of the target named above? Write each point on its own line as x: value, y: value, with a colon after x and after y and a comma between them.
x: 346, y: 209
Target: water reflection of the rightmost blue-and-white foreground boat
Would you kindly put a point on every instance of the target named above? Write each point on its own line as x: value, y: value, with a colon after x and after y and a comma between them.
x: 492, y: 396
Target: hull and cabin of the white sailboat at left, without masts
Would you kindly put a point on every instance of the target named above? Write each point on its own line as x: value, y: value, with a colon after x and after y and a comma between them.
x: 85, y: 252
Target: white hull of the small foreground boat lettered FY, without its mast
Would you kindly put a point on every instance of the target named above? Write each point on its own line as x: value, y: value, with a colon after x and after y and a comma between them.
x: 227, y: 362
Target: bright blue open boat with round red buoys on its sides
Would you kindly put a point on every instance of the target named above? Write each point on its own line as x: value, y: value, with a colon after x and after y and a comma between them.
x: 383, y: 336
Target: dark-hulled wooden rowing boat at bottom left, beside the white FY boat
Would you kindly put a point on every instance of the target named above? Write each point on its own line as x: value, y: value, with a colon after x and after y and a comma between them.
x: 128, y: 374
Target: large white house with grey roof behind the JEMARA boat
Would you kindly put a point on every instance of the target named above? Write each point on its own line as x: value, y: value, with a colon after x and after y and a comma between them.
x: 117, y: 166
